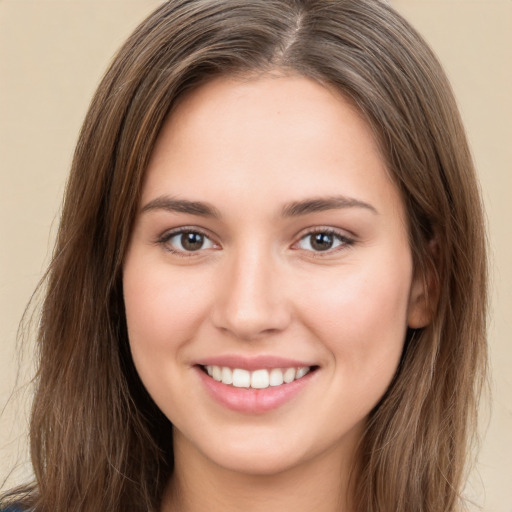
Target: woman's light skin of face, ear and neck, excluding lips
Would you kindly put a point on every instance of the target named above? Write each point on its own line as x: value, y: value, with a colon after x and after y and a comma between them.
x: 249, y: 149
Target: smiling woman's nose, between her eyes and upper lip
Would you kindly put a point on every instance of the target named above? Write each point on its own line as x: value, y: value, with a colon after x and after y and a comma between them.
x: 251, y: 301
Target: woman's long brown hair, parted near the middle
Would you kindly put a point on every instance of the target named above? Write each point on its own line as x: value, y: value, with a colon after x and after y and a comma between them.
x: 98, y: 442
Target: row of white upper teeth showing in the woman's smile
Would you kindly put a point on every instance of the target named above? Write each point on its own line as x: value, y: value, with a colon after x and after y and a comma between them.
x: 257, y: 379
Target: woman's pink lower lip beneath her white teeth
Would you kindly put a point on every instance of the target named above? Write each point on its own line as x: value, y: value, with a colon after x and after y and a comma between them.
x: 253, y: 401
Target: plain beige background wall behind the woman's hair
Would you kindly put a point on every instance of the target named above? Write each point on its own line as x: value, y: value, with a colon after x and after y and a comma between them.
x: 52, y: 54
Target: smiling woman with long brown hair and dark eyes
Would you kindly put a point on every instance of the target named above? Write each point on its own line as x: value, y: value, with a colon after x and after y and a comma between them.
x: 269, y: 284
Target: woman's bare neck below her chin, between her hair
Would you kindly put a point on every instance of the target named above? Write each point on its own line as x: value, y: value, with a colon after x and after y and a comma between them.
x: 199, y: 484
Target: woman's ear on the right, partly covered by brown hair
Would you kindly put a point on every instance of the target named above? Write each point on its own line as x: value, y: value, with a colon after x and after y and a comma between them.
x: 424, y: 293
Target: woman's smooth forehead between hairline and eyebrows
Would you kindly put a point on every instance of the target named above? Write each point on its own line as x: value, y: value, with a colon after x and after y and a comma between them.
x: 288, y: 135
